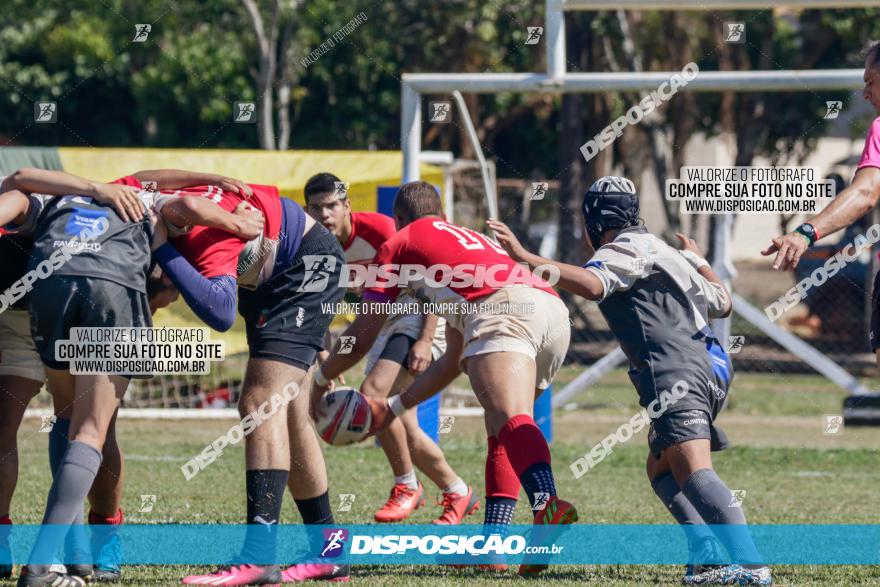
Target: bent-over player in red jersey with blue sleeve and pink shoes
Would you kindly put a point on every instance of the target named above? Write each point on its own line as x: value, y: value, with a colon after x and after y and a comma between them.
x: 274, y: 279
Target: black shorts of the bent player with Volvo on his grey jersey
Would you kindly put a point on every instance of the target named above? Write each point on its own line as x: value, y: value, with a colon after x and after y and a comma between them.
x: 62, y: 302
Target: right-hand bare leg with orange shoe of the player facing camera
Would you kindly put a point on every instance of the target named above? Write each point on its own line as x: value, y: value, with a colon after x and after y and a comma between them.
x: 458, y: 499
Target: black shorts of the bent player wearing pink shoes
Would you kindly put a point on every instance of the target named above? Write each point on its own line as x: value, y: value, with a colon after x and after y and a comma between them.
x: 286, y: 317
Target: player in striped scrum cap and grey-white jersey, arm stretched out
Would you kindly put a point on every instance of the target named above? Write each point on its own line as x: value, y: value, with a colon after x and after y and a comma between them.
x: 658, y: 302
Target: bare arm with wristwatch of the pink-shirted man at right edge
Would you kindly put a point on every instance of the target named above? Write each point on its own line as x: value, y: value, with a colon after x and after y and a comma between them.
x: 849, y: 205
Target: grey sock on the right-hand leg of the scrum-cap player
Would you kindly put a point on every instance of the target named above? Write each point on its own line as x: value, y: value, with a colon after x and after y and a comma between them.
x: 711, y: 497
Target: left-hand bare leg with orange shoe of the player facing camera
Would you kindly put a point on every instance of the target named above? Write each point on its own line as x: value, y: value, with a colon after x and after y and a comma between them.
x: 407, y: 494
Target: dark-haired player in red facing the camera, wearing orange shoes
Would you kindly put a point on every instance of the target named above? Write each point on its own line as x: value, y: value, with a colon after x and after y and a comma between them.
x: 404, y: 349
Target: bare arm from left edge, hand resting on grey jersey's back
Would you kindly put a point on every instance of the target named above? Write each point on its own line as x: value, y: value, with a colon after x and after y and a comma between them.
x: 124, y: 199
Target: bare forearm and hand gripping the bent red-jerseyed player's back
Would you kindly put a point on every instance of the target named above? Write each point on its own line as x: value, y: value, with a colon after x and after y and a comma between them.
x: 246, y: 221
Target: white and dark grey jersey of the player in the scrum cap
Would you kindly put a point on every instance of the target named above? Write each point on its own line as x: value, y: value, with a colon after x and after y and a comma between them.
x: 658, y: 306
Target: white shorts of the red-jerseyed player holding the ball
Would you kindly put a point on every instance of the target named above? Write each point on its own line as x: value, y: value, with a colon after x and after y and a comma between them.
x: 531, y: 322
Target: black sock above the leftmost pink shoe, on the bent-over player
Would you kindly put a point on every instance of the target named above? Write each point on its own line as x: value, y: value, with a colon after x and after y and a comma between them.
x: 265, y: 490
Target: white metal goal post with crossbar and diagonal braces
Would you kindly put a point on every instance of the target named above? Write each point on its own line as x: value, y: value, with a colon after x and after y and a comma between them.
x: 558, y: 81
